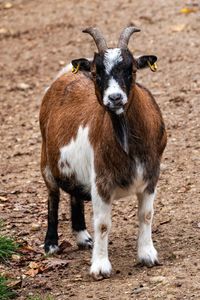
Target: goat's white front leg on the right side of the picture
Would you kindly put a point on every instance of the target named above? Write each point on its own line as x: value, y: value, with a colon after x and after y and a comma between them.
x: 147, y: 254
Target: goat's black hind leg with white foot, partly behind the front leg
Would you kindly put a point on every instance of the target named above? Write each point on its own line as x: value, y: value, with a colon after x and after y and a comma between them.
x: 83, y: 238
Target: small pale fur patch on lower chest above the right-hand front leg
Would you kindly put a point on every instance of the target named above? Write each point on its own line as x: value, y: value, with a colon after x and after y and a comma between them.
x: 138, y: 185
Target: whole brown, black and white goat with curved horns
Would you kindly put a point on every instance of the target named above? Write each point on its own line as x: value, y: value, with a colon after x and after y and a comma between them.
x: 103, y: 137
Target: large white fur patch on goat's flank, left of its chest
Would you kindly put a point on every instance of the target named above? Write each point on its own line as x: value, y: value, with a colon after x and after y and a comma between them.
x: 76, y: 158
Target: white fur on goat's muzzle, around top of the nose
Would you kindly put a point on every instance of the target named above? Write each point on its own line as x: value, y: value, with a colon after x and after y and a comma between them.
x: 113, y: 87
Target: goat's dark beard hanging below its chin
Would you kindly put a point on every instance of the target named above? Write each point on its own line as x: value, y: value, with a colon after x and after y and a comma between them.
x: 121, y: 129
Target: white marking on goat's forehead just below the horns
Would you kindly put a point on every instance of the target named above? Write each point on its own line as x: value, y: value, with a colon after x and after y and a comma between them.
x: 111, y: 58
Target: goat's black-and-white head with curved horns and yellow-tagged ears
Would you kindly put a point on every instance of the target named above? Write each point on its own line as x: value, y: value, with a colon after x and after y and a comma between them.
x: 113, y: 69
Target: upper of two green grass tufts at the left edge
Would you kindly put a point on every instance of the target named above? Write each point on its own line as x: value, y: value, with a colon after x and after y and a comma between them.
x: 7, y: 247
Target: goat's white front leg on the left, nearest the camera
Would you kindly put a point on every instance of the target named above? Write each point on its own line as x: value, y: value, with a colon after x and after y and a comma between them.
x: 101, y: 267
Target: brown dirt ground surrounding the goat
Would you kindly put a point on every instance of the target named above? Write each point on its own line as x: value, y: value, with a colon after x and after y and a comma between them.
x: 36, y: 39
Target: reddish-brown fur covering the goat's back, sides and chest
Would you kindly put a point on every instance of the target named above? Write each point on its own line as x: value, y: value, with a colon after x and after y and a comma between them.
x: 71, y: 102
